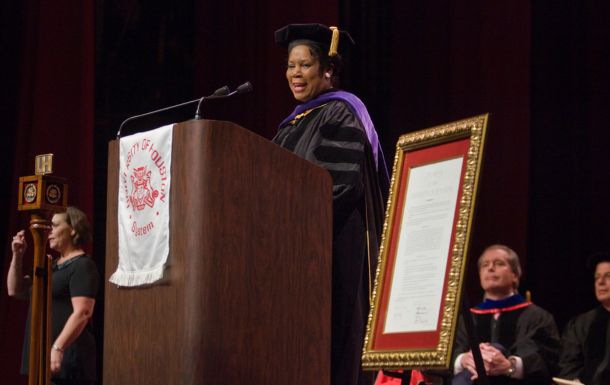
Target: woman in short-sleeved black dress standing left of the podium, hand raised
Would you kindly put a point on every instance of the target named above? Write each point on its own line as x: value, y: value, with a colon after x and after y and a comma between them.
x: 75, y: 285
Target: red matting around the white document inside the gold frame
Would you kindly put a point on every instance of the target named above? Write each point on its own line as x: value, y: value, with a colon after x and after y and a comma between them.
x: 421, y: 157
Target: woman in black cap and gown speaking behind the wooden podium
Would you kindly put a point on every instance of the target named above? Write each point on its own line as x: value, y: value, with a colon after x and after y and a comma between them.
x: 332, y: 129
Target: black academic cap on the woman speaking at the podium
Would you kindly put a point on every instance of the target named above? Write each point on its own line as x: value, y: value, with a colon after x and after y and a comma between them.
x: 315, y: 32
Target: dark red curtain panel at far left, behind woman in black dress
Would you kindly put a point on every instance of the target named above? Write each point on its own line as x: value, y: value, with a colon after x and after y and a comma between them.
x: 50, y: 109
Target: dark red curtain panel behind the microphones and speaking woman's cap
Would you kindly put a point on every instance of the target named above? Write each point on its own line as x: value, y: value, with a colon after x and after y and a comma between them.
x: 229, y: 53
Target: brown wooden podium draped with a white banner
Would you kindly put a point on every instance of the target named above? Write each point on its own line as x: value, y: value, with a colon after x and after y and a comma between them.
x: 246, y: 295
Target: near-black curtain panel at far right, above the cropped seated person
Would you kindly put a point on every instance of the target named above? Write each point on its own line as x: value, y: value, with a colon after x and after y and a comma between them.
x: 570, y: 173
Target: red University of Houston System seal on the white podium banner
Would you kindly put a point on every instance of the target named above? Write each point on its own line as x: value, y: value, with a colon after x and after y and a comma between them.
x: 144, y: 185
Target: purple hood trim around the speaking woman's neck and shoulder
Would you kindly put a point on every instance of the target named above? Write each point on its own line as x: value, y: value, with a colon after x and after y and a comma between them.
x: 355, y: 105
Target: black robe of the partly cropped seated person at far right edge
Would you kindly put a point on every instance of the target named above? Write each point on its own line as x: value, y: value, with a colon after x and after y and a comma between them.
x: 586, y: 348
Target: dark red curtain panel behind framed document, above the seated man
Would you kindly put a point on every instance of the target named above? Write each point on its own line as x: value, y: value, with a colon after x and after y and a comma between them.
x: 459, y: 60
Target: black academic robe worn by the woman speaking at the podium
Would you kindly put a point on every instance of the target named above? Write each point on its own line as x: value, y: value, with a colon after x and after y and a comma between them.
x: 332, y: 137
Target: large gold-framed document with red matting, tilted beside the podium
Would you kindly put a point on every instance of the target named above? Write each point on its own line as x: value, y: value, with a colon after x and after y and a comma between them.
x: 420, y: 270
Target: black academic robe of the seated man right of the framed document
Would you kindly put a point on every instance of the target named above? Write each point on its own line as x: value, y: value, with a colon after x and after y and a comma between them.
x: 528, y: 332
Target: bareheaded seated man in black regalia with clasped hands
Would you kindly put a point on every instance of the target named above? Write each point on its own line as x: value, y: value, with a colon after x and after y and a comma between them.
x: 519, y: 340
